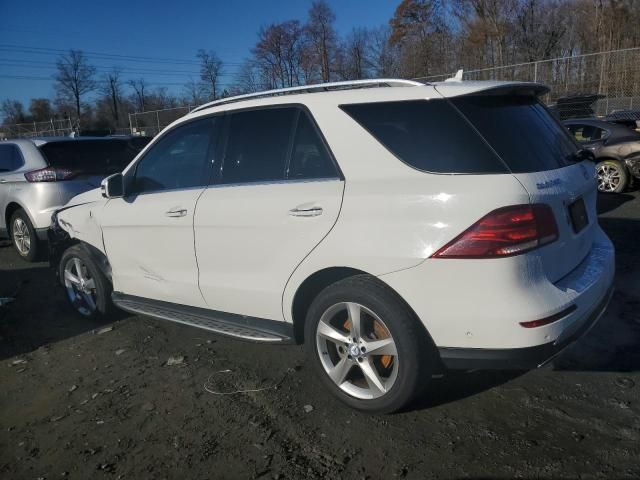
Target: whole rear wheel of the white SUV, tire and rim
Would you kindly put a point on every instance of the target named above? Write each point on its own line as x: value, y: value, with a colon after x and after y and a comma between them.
x: 383, y: 317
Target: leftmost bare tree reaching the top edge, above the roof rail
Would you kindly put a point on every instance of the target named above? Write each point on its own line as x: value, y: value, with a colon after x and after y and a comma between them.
x: 322, y: 36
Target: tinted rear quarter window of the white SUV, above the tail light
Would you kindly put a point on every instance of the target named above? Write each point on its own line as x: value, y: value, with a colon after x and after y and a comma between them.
x: 429, y: 135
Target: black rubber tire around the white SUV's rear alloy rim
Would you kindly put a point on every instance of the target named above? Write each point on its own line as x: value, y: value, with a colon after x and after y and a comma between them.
x: 416, y: 354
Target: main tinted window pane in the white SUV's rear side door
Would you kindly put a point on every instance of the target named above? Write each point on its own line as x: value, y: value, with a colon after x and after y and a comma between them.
x: 258, y: 145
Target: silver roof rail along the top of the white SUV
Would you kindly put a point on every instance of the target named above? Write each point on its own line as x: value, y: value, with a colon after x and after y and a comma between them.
x: 320, y: 87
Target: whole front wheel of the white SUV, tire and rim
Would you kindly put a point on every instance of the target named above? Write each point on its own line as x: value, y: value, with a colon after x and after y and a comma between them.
x: 89, y: 293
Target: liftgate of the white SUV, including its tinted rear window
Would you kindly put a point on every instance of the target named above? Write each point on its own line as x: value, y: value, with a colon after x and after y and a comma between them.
x: 541, y: 155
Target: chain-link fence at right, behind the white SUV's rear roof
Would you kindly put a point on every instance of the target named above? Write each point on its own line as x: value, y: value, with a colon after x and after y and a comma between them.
x: 600, y: 84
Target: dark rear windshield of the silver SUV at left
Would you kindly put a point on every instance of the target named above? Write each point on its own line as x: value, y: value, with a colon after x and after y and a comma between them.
x: 91, y: 157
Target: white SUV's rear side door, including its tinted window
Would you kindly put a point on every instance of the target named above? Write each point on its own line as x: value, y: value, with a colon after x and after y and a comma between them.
x: 277, y: 195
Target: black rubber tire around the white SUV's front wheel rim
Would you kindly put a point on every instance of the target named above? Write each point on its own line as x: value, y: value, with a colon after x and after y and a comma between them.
x: 101, y: 294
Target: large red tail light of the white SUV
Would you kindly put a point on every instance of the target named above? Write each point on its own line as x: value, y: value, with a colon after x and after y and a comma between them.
x: 504, y: 232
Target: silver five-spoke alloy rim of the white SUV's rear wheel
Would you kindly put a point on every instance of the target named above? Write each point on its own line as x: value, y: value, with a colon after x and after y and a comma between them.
x: 357, y: 351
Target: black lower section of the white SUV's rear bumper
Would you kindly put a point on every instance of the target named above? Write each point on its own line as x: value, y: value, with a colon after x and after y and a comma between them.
x: 522, y: 358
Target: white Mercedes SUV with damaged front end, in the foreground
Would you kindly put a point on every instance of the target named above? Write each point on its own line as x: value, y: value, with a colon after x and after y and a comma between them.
x: 394, y: 227
